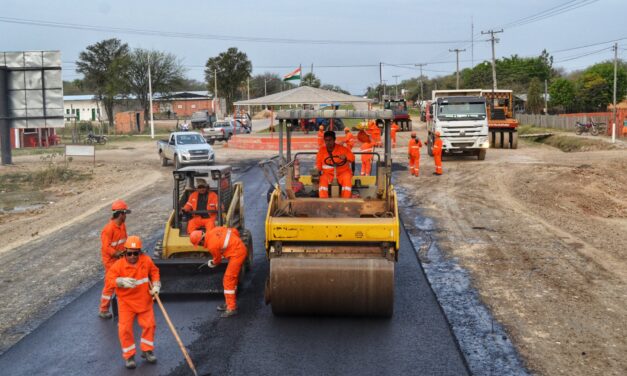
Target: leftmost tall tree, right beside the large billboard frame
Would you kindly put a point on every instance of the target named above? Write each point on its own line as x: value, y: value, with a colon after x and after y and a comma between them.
x: 104, y: 64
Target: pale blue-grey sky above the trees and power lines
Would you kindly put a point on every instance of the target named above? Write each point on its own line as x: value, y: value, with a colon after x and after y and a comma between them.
x: 345, y: 40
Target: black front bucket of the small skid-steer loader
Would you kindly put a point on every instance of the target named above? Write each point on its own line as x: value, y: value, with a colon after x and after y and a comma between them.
x: 190, y: 277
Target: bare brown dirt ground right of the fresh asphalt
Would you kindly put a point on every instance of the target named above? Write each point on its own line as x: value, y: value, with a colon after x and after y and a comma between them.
x: 544, y: 235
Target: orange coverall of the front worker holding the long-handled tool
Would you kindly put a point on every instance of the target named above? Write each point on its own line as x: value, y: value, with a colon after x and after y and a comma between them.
x: 135, y: 302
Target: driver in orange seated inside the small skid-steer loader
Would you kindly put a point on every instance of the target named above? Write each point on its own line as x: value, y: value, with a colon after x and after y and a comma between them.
x: 202, y: 199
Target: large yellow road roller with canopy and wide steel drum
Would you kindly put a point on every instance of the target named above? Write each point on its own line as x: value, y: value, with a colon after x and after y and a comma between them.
x: 331, y: 256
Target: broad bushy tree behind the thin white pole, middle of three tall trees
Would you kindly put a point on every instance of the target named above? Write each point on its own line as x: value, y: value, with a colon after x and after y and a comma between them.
x: 166, y: 73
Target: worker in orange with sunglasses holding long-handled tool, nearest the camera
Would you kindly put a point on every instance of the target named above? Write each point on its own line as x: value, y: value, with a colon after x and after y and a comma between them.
x: 135, y: 278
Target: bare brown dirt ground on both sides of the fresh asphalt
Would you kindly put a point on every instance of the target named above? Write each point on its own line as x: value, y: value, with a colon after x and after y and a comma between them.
x: 542, y: 232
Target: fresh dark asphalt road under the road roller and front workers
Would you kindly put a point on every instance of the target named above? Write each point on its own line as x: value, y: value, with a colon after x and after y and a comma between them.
x: 416, y: 340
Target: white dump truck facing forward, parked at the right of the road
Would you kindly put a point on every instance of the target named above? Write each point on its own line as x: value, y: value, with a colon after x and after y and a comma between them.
x: 462, y: 122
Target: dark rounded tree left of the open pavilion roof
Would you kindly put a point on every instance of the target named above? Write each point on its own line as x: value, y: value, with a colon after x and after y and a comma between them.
x: 232, y: 68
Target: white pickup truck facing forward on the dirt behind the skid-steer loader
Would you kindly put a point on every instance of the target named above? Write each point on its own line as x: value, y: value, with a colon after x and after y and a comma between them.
x: 185, y: 148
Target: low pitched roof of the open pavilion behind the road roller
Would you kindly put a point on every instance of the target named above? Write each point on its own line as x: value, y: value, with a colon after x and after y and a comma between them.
x: 303, y: 95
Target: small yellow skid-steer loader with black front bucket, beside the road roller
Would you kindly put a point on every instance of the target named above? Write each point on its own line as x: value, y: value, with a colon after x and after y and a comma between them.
x: 182, y: 265
